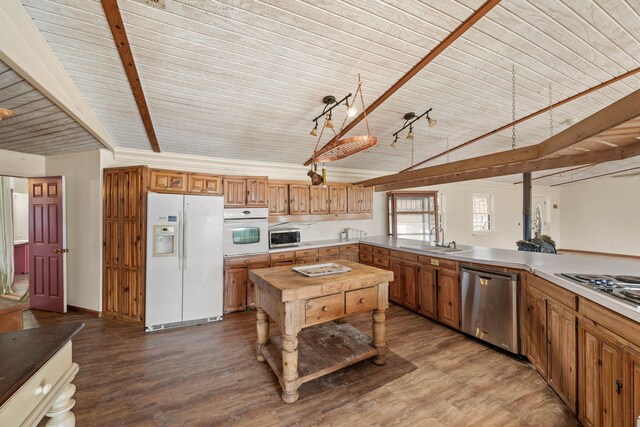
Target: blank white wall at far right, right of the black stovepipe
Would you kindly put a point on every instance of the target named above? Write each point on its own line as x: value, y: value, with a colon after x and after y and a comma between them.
x: 602, y: 215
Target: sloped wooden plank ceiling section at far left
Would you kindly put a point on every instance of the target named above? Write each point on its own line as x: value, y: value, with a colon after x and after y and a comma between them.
x: 37, y: 126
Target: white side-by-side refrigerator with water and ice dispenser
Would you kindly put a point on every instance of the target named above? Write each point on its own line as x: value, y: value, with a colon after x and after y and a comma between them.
x: 184, y: 260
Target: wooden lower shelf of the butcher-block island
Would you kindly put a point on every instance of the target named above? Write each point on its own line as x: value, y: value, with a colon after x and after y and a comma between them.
x: 322, y: 349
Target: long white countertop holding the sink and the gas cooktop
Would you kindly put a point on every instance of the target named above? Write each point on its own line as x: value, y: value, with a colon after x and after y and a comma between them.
x: 545, y: 266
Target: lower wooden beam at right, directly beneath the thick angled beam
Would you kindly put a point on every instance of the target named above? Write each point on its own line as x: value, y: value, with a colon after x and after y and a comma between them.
x: 592, y: 157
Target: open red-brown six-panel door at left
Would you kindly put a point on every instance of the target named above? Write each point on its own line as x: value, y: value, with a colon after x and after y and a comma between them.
x: 46, y: 244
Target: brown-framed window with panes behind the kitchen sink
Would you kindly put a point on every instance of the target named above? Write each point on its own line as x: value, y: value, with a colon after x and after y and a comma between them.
x: 413, y: 215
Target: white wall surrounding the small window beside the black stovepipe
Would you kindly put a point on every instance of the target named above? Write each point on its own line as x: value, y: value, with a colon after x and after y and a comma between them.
x: 507, y: 200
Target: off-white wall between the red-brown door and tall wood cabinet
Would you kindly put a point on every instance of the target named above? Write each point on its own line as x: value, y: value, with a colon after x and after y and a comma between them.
x: 83, y: 192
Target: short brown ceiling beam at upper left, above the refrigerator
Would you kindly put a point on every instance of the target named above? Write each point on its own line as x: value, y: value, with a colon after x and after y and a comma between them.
x: 112, y: 12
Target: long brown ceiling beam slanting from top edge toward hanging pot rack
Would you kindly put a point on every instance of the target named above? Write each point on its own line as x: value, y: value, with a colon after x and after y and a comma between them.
x: 453, y: 36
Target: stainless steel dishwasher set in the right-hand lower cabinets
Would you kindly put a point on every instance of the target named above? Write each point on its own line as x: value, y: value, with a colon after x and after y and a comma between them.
x: 489, y: 306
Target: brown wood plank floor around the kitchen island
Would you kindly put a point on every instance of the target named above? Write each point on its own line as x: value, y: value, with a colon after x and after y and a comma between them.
x: 208, y: 375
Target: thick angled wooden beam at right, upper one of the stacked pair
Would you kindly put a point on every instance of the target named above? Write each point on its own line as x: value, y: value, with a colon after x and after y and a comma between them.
x: 621, y: 111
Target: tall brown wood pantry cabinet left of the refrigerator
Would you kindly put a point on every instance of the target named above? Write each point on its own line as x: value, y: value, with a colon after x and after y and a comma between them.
x: 124, y: 243
